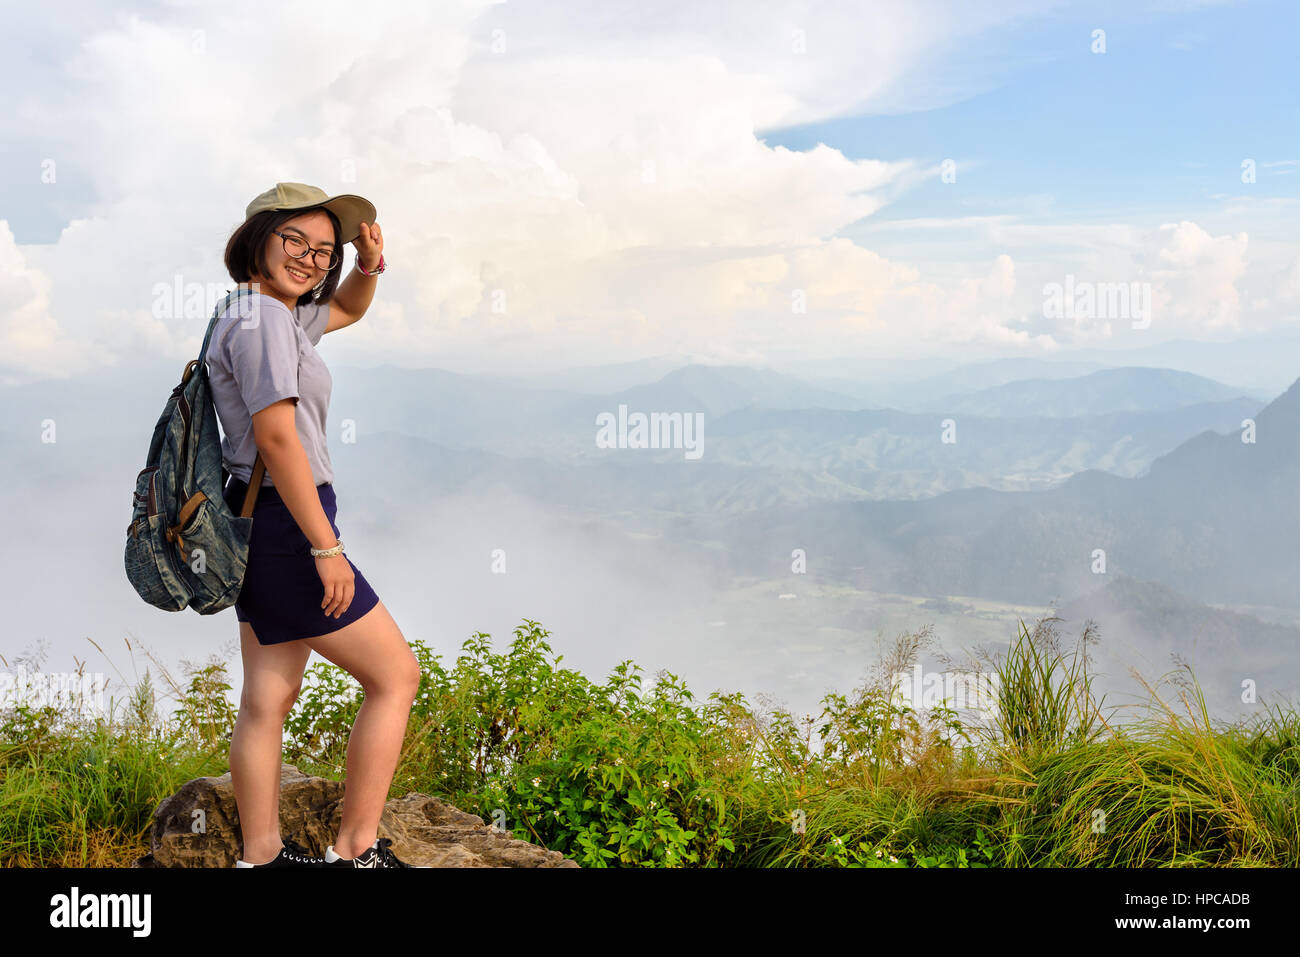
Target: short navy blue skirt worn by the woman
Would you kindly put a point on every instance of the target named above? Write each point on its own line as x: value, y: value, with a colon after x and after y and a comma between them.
x: 281, y: 595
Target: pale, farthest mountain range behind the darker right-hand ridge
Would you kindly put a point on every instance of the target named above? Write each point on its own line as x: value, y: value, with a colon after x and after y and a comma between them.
x: 782, y: 428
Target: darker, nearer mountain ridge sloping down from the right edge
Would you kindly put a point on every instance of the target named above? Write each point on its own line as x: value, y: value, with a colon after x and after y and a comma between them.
x: 1216, y: 518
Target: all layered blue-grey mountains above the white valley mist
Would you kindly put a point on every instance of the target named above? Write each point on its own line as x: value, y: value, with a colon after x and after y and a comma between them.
x: 1171, y: 495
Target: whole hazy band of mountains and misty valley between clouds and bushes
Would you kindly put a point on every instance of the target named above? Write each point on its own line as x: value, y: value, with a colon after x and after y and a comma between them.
x: 1052, y: 464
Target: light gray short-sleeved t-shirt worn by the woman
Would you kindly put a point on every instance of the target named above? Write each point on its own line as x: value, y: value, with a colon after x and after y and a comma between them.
x: 262, y: 353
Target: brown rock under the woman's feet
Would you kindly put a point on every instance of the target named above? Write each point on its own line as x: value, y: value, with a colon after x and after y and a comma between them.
x: 200, y: 828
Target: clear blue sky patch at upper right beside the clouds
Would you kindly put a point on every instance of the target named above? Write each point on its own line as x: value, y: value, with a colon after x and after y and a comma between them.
x: 1159, y: 123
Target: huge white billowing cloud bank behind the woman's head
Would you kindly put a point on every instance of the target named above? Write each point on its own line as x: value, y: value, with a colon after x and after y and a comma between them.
x: 586, y: 184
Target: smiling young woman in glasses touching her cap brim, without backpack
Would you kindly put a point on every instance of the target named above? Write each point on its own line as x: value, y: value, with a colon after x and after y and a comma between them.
x: 301, y: 594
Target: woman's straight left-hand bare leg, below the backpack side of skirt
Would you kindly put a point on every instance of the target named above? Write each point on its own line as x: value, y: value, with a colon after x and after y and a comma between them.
x: 274, y: 675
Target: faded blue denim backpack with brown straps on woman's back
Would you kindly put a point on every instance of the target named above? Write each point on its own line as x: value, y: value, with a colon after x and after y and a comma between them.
x: 185, y: 547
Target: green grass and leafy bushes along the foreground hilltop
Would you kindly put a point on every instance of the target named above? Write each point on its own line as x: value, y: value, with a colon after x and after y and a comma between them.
x: 614, y: 774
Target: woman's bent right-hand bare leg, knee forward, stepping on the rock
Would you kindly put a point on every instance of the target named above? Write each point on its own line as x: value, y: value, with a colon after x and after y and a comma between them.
x: 374, y: 651
